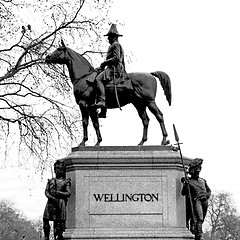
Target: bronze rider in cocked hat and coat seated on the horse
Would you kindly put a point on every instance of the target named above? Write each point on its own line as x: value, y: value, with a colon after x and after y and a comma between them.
x: 114, y: 63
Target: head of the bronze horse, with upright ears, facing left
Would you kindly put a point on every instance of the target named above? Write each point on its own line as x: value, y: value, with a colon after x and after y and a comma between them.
x: 59, y: 56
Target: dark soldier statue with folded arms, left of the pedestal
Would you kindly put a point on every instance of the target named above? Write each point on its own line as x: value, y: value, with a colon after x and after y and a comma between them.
x: 57, y: 191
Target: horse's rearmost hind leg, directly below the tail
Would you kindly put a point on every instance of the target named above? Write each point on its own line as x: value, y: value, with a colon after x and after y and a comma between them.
x: 159, y: 116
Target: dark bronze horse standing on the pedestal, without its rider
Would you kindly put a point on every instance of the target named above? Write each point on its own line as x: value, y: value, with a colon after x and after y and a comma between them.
x: 141, y: 95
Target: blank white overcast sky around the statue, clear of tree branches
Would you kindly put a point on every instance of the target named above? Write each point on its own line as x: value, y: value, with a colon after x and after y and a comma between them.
x: 197, y: 43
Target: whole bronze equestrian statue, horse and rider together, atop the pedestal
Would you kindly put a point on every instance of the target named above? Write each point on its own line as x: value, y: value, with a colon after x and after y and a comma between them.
x: 110, y: 87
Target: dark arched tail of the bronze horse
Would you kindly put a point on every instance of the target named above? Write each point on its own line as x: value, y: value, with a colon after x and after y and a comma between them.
x: 166, y: 84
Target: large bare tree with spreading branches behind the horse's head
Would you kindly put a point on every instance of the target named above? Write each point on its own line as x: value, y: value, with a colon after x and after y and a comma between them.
x: 37, y: 109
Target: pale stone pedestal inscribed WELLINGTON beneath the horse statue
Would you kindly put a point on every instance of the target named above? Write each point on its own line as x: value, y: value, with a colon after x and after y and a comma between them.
x: 126, y: 193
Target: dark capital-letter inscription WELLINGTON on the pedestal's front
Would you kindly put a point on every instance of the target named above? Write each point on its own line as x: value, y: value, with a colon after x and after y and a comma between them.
x: 124, y: 197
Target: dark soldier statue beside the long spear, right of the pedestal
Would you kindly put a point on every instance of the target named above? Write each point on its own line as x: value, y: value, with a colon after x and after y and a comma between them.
x: 198, y: 197
